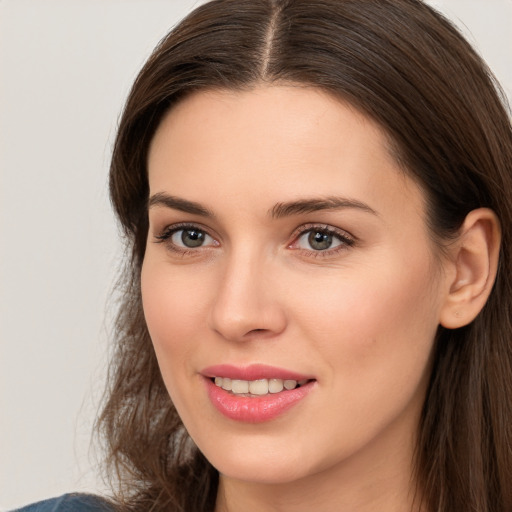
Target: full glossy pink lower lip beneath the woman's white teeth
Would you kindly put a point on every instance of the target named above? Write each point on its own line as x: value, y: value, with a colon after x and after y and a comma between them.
x: 255, y: 409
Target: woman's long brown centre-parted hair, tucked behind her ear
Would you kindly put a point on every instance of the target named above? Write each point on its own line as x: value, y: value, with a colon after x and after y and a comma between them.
x: 405, y: 66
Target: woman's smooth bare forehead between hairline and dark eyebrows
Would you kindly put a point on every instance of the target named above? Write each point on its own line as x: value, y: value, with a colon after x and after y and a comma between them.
x: 274, y: 143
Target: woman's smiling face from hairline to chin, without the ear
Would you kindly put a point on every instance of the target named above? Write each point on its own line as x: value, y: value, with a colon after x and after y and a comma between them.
x: 285, y: 244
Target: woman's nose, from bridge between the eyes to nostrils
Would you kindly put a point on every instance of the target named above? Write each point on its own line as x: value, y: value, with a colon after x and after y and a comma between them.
x: 247, y: 305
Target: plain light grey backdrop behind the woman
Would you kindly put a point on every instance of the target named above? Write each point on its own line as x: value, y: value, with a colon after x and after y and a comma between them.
x: 65, y: 69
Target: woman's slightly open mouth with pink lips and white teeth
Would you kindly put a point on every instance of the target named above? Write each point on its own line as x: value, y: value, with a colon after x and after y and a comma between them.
x: 255, y: 393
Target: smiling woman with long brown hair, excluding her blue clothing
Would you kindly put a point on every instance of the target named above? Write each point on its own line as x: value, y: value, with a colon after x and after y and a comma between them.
x: 316, y: 198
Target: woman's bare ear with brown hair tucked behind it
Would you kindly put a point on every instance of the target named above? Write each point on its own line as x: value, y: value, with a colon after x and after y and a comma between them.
x: 475, y: 259
